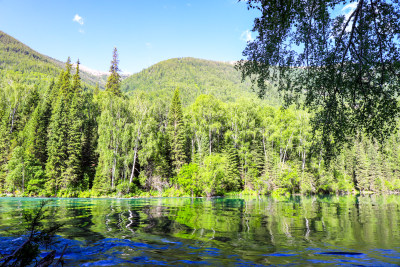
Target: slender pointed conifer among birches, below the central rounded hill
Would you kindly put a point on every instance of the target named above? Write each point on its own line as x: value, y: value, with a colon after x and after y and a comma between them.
x: 176, y: 133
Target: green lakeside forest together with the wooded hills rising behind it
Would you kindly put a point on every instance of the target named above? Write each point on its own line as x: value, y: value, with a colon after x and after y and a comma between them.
x: 184, y: 127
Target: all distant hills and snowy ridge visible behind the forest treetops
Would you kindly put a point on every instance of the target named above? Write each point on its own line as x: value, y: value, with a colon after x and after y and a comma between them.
x: 192, y: 76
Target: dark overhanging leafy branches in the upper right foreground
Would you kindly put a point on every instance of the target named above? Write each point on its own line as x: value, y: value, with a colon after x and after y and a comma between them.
x: 346, y: 67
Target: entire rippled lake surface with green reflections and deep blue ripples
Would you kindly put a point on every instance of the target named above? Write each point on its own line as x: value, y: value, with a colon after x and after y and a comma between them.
x: 345, y: 230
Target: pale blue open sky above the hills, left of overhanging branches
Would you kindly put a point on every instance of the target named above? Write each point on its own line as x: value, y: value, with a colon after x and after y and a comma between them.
x: 144, y: 32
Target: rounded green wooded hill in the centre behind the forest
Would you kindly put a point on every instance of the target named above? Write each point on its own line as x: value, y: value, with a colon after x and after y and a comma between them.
x: 193, y: 77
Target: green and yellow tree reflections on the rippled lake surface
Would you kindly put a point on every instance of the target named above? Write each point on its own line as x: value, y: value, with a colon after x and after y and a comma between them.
x: 236, y: 224
